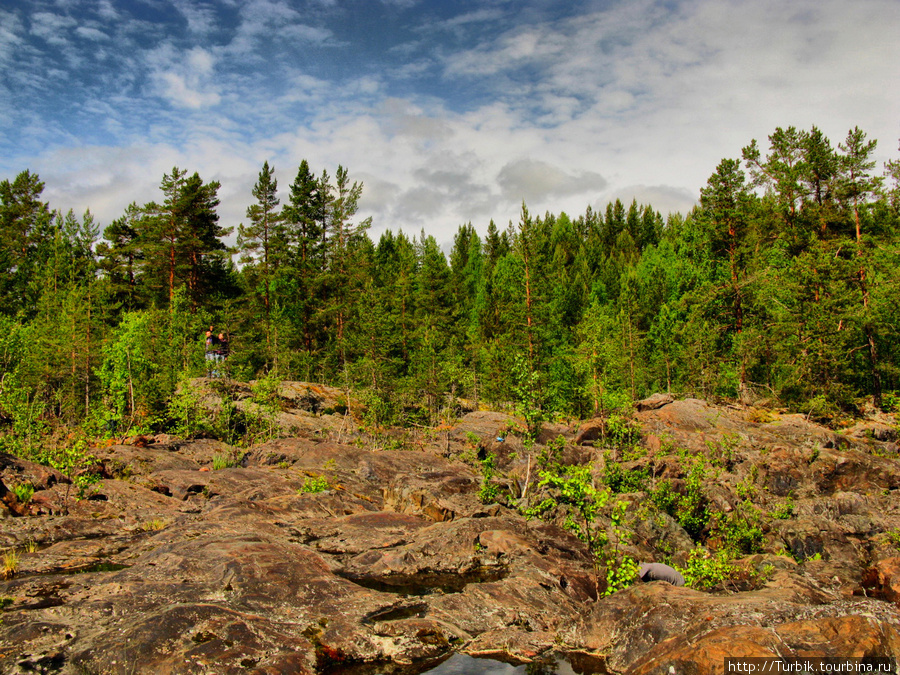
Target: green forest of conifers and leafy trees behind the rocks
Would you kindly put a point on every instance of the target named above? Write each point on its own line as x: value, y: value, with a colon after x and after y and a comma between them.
x: 780, y: 286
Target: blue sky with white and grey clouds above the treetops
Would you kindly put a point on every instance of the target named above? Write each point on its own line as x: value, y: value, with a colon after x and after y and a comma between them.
x: 447, y: 111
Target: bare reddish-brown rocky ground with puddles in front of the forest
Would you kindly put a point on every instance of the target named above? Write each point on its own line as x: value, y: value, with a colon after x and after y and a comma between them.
x: 342, y: 550
